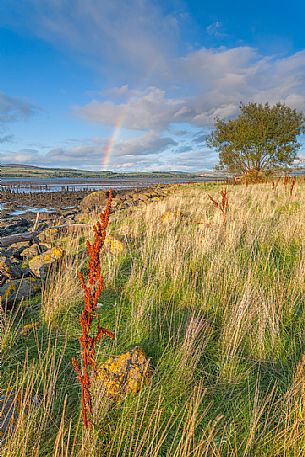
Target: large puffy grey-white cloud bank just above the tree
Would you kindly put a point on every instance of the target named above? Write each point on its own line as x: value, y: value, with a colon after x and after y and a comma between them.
x: 220, y: 80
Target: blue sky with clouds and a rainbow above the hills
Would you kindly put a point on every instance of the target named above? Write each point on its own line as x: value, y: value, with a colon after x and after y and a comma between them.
x: 132, y: 85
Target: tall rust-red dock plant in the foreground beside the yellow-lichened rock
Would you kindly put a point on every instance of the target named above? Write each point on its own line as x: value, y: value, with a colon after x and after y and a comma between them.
x: 92, y: 288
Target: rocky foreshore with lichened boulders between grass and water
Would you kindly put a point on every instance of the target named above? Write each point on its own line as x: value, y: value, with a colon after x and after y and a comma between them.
x: 33, y: 223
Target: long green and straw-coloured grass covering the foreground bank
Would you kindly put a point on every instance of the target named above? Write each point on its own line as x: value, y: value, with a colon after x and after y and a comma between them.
x: 218, y: 307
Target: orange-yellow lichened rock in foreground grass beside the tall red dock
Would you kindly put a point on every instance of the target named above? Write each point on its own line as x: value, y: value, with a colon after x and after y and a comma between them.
x: 124, y: 374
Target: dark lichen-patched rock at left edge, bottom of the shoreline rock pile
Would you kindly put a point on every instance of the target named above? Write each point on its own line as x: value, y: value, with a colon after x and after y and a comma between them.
x: 18, y: 289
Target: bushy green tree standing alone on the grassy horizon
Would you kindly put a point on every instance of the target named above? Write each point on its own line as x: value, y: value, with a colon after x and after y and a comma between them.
x: 260, y: 140
